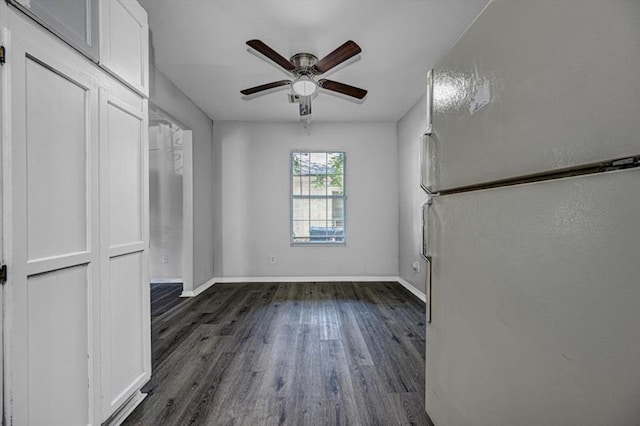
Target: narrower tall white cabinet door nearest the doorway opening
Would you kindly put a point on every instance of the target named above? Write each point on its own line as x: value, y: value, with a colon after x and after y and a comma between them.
x: 124, y: 244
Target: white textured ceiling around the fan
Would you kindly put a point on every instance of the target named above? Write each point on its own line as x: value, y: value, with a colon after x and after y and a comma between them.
x: 200, y: 46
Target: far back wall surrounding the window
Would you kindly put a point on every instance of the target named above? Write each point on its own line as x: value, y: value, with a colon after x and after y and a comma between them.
x: 256, y: 199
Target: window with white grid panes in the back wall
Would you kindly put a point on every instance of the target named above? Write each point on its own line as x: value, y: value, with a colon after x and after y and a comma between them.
x: 317, y: 197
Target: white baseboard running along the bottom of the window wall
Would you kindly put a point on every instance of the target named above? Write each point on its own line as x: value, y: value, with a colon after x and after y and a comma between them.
x: 406, y: 284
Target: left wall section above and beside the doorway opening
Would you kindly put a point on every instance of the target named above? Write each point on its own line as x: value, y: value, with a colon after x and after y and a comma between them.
x: 168, y: 97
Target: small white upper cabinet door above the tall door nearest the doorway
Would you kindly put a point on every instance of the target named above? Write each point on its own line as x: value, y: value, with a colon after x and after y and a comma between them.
x: 124, y: 42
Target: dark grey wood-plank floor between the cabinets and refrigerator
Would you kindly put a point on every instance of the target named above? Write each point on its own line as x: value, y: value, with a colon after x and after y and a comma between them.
x: 289, y: 354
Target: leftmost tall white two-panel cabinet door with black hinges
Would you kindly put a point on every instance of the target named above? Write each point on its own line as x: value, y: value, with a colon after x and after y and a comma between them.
x: 50, y: 151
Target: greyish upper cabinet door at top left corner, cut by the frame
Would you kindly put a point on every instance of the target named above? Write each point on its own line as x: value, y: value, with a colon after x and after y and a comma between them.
x: 76, y: 22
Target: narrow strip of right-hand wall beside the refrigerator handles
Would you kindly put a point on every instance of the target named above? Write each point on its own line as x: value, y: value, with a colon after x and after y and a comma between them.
x: 410, y: 127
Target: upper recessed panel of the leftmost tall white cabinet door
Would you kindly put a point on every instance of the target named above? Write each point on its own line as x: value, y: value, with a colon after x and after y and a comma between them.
x: 56, y: 166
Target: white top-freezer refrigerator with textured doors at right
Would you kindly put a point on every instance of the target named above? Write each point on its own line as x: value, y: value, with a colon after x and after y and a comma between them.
x: 532, y: 228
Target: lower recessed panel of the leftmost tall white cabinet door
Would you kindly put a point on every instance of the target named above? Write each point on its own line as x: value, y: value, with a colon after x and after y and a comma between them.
x: 58, y: 330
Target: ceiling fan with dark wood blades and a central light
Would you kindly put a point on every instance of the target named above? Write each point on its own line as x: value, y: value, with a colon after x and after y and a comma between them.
x: 305, y: 67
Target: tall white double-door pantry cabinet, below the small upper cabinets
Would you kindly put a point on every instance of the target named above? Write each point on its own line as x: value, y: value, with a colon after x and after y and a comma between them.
x: 75, y: 233
